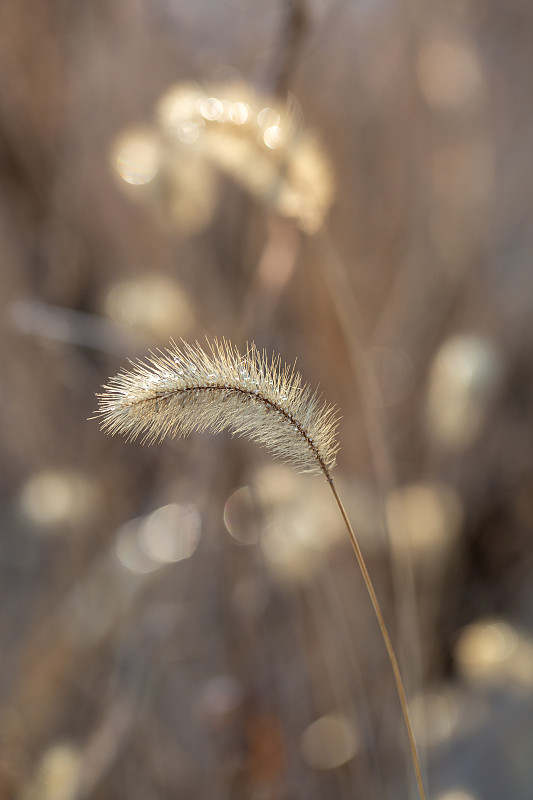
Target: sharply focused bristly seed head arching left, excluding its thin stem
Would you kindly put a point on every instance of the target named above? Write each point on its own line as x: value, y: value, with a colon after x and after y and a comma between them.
x: 182, y: 389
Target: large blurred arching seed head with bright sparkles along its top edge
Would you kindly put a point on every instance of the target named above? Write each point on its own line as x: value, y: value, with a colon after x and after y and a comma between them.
x: 261, y: 143
